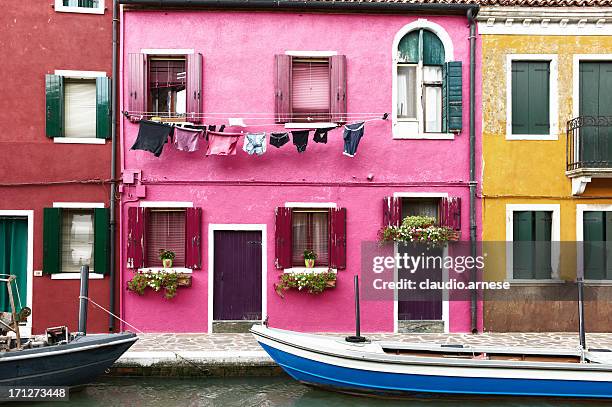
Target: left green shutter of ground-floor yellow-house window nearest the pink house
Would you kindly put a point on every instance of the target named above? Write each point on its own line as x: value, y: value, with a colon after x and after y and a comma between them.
x: 523, y: 245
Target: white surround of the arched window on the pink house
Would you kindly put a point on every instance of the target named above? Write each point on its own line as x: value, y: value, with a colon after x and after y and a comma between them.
x: 405, y: 128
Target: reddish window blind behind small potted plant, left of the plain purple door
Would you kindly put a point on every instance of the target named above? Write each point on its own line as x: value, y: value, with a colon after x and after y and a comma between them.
x: 165, y: 230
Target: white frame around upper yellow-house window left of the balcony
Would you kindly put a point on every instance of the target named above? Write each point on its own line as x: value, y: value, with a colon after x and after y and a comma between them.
x: 553, y: 97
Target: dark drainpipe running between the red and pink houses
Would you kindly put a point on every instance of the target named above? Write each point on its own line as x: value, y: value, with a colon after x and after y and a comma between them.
x: 112, y: 206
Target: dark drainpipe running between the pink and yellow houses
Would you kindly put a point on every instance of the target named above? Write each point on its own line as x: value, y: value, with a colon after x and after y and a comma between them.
x: 471, y: 14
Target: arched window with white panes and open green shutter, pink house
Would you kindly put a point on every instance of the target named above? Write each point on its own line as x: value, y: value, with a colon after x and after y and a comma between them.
x: 428, y: 91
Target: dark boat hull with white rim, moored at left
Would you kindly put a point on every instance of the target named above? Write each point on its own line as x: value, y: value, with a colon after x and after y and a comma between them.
x: 74, y: 364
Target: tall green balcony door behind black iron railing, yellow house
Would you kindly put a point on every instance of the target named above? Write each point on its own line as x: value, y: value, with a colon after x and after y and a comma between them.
x: 596, y: 100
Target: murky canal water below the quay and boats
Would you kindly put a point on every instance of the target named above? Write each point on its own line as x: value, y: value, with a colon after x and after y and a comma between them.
x: 259, y: 392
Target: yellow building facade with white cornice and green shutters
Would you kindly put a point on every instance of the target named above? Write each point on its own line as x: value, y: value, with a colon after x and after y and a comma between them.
x: 545, y: 172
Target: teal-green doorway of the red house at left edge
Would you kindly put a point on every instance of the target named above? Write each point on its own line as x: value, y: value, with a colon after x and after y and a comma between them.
x: 13, y: 259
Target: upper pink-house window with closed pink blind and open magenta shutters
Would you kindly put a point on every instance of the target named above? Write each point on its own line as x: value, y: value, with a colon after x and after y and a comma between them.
x: 310, y: 89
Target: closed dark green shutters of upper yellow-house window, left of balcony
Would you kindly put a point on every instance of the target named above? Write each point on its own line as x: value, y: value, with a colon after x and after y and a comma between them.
x: 530, y: 97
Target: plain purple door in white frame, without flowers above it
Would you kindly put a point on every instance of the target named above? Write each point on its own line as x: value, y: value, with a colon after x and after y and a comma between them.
x: 237, y: 275
